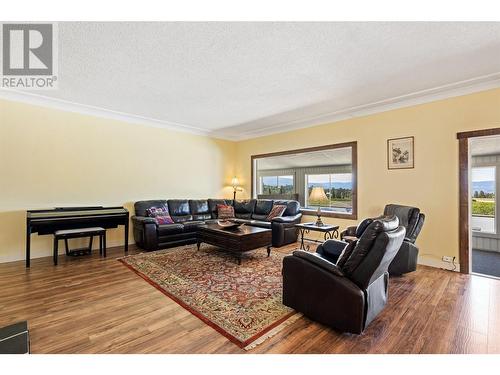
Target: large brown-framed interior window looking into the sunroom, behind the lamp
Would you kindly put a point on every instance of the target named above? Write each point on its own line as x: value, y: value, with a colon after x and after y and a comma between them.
x: 322, y: 176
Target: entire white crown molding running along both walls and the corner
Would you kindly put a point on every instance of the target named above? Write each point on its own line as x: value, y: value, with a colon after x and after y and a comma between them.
x: 460, y: 88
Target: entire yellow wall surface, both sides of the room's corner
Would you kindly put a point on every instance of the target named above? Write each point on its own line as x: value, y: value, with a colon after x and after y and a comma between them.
x: 50, y: 158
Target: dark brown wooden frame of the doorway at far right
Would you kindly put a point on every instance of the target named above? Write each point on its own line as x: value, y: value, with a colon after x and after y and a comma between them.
x: 463, y: 188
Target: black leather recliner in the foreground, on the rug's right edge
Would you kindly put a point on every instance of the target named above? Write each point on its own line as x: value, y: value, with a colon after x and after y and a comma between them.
x: 347, y: 291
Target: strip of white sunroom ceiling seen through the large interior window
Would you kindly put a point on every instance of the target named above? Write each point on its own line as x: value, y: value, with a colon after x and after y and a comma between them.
x: 337, y: 156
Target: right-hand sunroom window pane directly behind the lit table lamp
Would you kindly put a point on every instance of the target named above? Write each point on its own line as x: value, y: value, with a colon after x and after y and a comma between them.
x: 332, y: 192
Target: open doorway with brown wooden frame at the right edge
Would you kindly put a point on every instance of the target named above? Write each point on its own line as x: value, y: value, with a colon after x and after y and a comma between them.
x: 479, y: 159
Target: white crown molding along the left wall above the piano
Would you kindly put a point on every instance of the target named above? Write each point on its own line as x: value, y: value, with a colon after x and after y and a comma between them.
x: 68, y: 106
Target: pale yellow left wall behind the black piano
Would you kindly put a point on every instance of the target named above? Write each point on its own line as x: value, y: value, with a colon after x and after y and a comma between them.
x: 50, y: 158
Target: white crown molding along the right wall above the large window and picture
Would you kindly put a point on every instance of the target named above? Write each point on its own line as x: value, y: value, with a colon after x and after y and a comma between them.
x: 482, y: 83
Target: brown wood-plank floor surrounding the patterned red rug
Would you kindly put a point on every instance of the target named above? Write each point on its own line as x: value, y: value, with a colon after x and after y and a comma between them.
x: 96, y: 305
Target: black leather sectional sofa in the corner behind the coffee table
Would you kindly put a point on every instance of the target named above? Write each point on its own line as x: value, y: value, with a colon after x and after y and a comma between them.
x: 188, y: 215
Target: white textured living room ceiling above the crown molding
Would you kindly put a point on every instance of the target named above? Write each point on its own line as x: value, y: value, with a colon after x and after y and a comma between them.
x: 239, y: 80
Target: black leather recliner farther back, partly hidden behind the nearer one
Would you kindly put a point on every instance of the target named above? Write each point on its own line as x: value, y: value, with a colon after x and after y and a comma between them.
x: 412, y: 219
